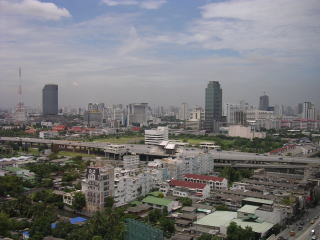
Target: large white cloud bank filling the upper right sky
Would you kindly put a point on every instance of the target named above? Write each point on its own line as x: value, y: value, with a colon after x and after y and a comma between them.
x: 249, y: 25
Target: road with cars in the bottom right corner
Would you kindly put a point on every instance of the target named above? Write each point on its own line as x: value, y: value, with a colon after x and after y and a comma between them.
x: 305, y: 233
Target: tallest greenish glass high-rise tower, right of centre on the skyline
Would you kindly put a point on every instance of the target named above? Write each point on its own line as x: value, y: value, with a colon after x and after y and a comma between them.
x: 213, y: 106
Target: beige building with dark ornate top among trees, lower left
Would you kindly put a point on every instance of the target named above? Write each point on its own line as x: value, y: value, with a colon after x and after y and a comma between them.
x: 97, y: 186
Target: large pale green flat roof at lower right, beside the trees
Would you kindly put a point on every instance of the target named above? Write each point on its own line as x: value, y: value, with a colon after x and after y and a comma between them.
x: 217, y: 219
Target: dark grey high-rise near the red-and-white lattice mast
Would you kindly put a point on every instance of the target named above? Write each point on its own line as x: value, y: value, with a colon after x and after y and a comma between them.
x: 50, y: 99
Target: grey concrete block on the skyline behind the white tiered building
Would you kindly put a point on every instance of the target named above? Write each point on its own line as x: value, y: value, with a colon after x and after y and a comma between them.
x: 137, y: 114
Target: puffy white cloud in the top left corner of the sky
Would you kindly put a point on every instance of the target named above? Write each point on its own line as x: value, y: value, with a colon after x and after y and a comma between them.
x: 34, y: 9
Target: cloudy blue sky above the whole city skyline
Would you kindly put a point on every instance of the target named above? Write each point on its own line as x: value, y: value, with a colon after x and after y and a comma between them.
x: 162, y: 52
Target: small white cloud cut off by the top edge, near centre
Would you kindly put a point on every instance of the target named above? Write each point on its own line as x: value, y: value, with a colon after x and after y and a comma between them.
x: 147, y: 4
